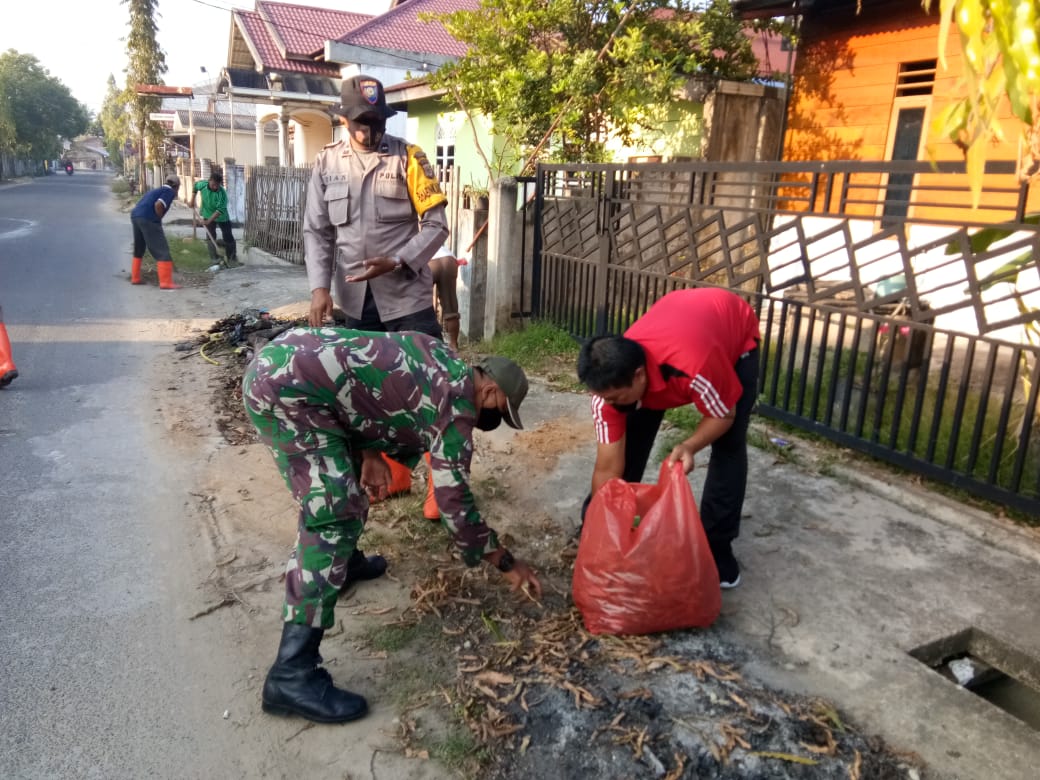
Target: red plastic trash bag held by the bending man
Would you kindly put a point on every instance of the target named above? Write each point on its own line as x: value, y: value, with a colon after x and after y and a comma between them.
x: 644, y: 564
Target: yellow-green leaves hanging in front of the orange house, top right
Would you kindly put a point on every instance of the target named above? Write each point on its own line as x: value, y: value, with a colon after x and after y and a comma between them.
x: 1002, y: 61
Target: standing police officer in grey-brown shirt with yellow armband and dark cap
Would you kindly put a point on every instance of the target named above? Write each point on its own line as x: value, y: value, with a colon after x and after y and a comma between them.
x: 375, y: 218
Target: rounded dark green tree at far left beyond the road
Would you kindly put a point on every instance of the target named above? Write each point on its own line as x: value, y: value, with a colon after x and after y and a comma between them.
x: 37, y: 111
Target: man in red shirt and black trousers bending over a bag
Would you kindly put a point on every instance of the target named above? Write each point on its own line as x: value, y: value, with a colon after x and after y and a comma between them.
x: 695, y: 347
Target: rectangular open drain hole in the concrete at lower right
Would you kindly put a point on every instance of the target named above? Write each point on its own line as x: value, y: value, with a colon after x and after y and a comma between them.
x: 993, y: 670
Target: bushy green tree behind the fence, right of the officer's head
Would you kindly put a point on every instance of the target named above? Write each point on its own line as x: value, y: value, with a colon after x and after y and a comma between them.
x: 571, y: 72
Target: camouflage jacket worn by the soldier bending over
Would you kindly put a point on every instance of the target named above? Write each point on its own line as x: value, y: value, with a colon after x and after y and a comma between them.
x: 402, y: 394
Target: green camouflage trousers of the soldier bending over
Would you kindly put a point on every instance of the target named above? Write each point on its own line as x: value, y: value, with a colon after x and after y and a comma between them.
x: 315, y: 456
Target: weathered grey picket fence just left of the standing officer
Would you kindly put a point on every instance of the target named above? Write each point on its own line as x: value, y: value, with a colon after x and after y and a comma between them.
x: 275, y: 202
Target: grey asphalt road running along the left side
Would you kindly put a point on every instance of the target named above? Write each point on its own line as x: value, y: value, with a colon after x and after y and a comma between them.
x: 103, y: 674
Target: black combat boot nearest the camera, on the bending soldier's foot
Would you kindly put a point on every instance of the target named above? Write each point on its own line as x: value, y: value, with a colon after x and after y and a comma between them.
x: 297, y: 685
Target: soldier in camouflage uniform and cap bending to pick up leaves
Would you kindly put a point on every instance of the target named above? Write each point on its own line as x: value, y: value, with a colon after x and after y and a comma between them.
x: 328, y: 402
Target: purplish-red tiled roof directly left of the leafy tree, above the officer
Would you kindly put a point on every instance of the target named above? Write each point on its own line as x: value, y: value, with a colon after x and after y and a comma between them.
x: 401, y: 29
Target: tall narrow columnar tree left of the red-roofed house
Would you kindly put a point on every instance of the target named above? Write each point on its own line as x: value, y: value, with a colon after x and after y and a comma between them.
x: 146, y: 65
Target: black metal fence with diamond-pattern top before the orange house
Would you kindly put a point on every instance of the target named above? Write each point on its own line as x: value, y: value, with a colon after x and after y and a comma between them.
x: 889, y: 326
